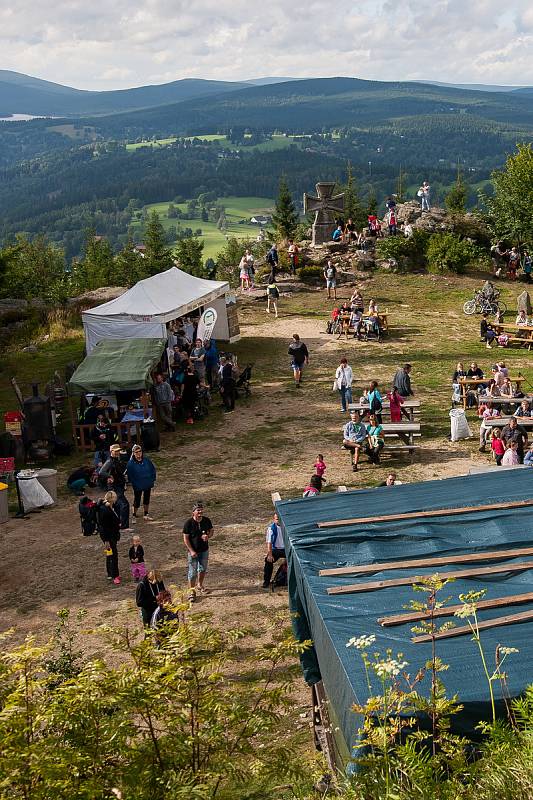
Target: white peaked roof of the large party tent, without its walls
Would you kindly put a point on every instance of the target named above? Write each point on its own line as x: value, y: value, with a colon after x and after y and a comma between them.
x: 166, y: 295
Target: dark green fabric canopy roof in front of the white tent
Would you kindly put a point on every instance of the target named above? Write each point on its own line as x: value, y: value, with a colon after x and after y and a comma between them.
x: 117, y: 365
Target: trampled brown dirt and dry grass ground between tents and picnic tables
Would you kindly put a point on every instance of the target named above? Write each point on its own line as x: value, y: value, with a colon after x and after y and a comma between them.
x: 234, y: 462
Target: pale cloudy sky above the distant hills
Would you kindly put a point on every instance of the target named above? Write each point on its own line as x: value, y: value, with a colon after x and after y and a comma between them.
x: 112, y: 45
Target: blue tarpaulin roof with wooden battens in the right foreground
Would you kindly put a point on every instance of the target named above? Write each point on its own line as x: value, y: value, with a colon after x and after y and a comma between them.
x: 331, y: 620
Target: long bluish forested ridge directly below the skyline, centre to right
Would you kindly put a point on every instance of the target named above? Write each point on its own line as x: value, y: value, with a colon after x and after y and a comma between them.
x: 308, y: 105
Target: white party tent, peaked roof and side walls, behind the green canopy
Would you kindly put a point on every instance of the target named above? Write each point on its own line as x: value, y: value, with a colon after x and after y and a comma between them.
x: 143, y: 311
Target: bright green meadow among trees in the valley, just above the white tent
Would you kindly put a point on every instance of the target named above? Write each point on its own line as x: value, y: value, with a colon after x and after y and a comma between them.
x: 237, y: 208
